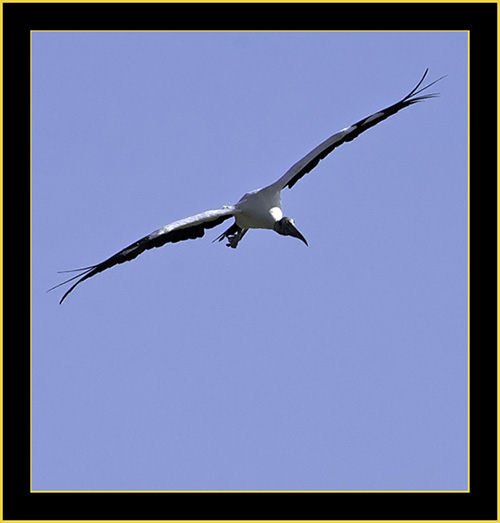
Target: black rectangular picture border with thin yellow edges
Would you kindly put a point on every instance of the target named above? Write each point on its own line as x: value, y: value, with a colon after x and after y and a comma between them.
x: 480, y: 19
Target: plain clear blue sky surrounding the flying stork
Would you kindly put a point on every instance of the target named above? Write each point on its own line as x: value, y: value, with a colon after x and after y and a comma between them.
x: 275, y: 366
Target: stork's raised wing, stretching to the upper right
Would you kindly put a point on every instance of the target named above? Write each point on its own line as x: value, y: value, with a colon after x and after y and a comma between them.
x: 306, y: 164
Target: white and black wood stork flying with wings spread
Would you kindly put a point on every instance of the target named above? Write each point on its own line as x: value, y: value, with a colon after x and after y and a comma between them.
x: 259, y: 209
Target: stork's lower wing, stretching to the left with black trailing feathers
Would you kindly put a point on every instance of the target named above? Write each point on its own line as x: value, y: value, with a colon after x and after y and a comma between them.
x: 186, y: 229
